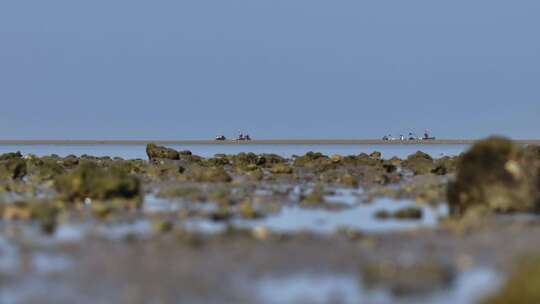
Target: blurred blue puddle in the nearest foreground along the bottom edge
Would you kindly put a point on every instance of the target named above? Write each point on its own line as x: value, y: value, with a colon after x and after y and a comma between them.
x: 470, y: 287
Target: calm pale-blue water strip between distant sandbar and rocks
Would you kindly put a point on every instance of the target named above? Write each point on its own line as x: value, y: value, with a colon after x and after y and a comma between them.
x: 205, y: 150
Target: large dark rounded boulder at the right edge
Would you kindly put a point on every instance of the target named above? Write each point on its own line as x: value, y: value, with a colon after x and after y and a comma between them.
x: 497, y: 174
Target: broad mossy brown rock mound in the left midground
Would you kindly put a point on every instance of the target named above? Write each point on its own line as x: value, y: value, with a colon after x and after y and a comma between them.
x: 88, y: 180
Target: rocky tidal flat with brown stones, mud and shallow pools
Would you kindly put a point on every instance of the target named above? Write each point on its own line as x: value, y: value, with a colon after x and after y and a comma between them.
x: 452, y: 224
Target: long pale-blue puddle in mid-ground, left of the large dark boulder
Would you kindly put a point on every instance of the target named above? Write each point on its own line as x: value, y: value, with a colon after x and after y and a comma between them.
x: 362, y: 217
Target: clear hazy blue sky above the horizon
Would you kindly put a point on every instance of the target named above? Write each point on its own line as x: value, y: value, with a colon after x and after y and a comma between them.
x: 193, y: 69
